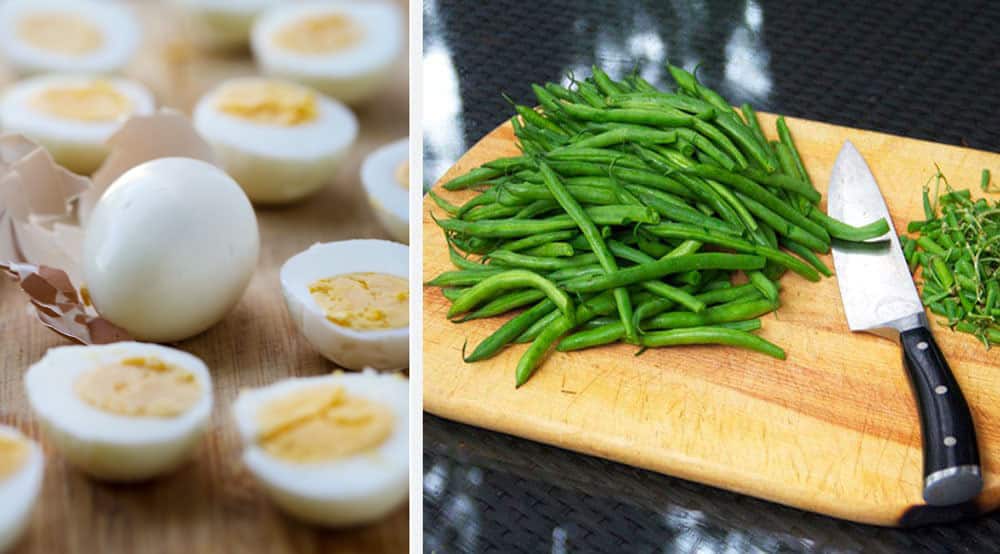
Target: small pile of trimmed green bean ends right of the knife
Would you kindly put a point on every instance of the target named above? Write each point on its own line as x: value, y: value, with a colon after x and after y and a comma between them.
x: 956, y: 252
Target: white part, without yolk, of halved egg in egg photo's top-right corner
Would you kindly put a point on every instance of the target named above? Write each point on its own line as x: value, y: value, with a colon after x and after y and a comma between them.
x: 350, y: 75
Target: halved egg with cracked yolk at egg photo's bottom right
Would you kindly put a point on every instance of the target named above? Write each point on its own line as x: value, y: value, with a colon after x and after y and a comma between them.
x: 331, y: 450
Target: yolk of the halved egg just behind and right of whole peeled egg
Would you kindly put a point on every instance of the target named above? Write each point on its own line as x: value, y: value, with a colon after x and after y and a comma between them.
x: 268, y: 102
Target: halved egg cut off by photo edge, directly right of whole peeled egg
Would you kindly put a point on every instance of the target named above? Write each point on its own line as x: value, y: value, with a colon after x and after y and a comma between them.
x: 351, y: 299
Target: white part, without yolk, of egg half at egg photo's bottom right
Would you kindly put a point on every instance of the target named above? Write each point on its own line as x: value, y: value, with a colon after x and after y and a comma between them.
x: 348, y: 491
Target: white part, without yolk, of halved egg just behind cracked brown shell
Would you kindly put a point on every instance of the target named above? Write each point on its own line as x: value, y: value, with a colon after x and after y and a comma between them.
x: 80, y: 146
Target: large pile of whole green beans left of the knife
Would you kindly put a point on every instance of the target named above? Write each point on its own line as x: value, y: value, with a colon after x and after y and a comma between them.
x: 626, y: 218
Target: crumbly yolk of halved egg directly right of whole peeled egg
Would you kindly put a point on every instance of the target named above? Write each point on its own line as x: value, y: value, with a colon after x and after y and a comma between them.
x: 364, y: 301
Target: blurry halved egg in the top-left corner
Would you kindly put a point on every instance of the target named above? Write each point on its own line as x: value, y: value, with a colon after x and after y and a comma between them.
x: 68, y: 36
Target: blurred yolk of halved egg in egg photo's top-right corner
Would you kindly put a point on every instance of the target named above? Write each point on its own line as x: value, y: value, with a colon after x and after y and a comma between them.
x: 321, y: 34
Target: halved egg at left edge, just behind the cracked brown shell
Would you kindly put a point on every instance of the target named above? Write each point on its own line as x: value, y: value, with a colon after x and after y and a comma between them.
x: 73, y: 116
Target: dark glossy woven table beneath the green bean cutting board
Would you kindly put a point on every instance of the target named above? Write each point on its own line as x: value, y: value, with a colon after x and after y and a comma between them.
x: 929, y: 70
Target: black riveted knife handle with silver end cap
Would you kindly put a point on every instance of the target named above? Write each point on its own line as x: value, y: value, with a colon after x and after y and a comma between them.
x: 951, y: 456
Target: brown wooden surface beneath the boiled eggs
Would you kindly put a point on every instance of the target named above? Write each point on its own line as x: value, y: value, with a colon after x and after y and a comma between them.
x: 212, y: 504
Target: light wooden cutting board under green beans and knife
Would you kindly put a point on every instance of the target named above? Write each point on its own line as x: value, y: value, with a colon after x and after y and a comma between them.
x: 833, y: 429
